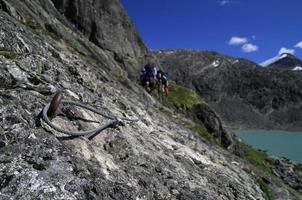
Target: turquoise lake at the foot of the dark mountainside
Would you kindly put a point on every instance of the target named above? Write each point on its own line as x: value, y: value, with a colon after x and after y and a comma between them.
x: 277, y: 143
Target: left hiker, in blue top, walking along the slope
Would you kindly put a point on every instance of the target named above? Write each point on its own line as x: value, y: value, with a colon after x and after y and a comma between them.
x: 148, y: 77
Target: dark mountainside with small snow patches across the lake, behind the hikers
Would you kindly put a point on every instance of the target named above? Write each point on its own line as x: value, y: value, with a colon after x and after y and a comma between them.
x: 243, y: 93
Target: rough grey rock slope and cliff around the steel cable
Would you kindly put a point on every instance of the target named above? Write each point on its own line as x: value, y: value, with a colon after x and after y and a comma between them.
x: 89, y: 50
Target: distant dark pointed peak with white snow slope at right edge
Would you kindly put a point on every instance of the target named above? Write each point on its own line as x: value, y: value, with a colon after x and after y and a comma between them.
x: 284, y: 61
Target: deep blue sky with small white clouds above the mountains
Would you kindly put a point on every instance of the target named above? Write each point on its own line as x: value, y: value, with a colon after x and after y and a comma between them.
x: 252, y: 29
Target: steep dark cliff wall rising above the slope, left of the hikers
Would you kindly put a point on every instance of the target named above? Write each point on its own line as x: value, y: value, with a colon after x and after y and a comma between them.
x: 106, y: 25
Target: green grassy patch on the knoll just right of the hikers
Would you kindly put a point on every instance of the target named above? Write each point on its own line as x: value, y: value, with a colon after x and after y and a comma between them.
x: 183, y: 97
